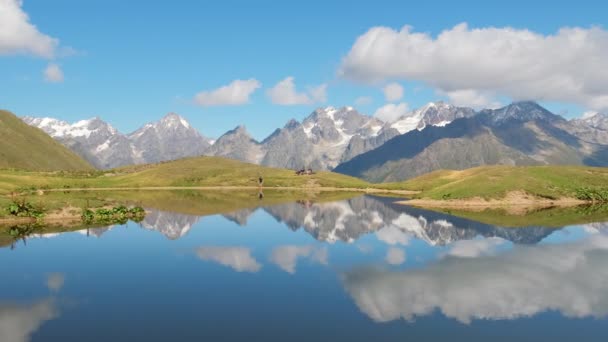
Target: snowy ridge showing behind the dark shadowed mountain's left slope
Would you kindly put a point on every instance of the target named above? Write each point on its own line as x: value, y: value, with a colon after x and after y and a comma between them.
x: 432, y: 114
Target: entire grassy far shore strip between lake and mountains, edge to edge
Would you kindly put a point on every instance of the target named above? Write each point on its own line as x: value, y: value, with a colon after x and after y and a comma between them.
x: 473, y: 189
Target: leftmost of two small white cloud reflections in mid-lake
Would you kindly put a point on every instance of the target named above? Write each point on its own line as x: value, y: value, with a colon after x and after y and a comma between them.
x: 237, y: 258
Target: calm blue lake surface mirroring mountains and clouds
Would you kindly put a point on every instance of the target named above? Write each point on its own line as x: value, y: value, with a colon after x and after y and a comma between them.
x: 354, y: 270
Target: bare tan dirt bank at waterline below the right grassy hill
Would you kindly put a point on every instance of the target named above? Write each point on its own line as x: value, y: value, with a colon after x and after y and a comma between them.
x: 514, y: 203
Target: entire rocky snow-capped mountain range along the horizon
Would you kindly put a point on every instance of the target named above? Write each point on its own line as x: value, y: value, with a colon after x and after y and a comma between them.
x: 435, y: 136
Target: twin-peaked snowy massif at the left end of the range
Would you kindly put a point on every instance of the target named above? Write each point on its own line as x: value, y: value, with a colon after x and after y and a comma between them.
x: 102, y: 145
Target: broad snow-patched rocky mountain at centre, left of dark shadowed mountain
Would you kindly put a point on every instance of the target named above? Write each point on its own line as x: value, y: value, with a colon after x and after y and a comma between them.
x: 320, y: 140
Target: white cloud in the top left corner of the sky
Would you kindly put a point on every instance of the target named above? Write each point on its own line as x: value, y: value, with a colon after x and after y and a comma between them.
x: 19, y: 36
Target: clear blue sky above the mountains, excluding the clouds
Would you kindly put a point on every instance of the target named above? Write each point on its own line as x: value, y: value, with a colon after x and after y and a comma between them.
x: 131, y: 62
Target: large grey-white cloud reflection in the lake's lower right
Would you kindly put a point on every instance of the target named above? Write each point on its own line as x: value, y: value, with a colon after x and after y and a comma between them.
x: 507, y: 285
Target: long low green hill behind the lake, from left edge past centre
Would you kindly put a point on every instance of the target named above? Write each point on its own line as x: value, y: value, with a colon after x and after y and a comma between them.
x: 190, y: 172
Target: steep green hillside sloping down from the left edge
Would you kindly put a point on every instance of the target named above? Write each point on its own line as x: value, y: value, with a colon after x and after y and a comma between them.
x: 28, y: 148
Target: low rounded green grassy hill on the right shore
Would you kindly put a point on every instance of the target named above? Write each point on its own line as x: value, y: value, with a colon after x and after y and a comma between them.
x: 494, y: 182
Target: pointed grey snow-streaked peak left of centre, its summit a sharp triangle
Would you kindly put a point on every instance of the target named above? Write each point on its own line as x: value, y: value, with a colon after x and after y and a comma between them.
x: 170, y: 138
